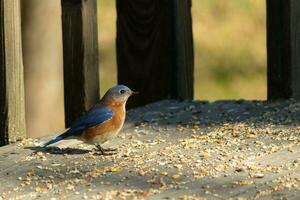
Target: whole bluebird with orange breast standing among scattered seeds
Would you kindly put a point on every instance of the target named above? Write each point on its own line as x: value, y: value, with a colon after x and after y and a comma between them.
x: 102, y: 122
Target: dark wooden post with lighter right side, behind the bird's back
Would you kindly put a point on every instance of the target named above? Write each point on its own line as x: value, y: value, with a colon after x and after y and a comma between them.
x: 80, y: 49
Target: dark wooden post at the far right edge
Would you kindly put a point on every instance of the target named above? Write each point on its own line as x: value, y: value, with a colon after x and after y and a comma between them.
x: 283, y: 39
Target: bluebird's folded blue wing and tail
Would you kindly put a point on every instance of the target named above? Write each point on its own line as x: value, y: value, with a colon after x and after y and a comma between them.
x: 94, y: 117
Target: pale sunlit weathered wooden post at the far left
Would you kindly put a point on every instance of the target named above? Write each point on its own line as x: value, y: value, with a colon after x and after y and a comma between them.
x: 12, y: 114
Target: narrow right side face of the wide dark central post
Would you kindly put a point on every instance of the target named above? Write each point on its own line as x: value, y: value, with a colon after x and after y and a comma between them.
x: 184, y: 51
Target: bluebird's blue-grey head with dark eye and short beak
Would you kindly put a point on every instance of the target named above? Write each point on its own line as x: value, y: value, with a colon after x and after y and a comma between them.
x: 118, y: 94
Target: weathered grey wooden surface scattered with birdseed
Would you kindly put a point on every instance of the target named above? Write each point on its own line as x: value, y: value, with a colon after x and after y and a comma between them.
x: 171, y: 149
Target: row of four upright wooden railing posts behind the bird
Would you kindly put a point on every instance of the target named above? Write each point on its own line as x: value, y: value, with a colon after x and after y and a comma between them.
x: 154, y: 55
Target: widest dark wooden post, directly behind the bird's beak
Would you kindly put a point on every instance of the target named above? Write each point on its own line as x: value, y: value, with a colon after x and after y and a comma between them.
x: 155, y: 49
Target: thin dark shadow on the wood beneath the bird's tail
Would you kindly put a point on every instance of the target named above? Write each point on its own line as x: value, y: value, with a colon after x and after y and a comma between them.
x: 57, y: 150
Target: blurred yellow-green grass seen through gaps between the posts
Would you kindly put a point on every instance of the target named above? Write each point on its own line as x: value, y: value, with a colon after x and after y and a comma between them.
x: 229, y: 44
